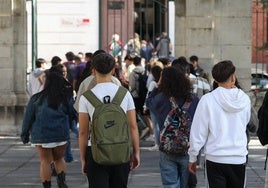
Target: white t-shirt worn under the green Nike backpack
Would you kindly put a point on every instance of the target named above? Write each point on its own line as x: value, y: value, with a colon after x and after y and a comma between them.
x: 101, y: 90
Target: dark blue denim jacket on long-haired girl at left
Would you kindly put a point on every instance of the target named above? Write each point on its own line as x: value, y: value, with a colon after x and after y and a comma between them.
x: 44, y: 124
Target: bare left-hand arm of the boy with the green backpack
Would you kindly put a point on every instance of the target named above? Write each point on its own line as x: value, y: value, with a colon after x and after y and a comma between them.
x: 83, y: 138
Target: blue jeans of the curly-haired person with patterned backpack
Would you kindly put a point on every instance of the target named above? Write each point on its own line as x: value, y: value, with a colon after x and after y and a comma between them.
x: 174, y: 170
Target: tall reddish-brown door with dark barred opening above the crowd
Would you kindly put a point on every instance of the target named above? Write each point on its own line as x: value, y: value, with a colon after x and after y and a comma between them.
x: 148, y: 18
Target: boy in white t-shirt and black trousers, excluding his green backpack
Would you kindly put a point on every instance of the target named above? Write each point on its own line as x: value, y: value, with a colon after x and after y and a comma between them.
x: 103, y: 175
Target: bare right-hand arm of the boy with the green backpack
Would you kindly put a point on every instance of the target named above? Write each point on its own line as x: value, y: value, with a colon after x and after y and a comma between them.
x: 135, y: 157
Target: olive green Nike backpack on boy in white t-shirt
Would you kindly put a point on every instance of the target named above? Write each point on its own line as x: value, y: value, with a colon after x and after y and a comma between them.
x: 110, y: 136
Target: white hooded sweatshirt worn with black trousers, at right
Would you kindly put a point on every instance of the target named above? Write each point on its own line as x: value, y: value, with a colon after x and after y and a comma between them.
x: 219, y: 124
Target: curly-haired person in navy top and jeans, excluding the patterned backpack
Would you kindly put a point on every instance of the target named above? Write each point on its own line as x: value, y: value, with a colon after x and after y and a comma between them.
x: 173, y: 86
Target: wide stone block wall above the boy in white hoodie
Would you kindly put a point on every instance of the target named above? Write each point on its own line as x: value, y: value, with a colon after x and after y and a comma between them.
x: 215, y: 31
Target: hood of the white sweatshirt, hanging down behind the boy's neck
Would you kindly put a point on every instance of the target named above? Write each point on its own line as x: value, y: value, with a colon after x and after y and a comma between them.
x: 231, y: 100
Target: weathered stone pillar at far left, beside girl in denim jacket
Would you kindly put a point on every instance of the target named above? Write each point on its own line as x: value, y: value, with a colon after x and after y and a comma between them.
x: 13, y: 59
